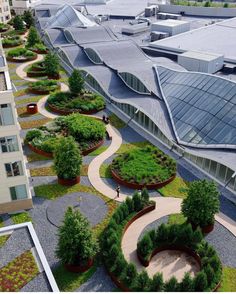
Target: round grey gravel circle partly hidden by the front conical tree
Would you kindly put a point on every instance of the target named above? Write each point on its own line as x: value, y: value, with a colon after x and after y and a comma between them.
x: 93, y: 207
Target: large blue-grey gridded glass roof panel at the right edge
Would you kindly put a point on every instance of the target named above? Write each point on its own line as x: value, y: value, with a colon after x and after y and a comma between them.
x: 202, y: 107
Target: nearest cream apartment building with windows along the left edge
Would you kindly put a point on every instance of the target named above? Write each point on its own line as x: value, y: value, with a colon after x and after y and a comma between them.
x: 15, y: 193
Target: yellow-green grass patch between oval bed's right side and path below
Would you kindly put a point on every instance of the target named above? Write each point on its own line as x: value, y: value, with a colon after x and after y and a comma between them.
x: 177, y: 188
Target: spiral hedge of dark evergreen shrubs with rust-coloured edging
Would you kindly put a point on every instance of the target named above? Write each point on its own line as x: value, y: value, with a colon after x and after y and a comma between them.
x: 125, y: 275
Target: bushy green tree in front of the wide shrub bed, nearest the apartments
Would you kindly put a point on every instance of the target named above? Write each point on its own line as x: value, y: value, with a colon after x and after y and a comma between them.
x: 67, y: 158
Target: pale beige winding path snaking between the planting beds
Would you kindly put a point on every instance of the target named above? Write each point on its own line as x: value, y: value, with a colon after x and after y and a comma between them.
x: 165, y: 206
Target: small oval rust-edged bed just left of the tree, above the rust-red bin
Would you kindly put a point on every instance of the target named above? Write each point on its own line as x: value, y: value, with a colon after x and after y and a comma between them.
x: 43, y: 87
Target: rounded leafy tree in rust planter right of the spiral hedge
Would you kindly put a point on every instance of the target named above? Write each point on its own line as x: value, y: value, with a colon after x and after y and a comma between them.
x: 201, y: 203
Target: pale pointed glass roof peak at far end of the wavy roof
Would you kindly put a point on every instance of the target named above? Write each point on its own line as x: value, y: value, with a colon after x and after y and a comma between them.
x: 68, y: 16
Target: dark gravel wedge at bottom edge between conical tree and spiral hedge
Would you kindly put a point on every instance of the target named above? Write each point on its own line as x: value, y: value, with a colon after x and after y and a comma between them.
x: 99, y: 282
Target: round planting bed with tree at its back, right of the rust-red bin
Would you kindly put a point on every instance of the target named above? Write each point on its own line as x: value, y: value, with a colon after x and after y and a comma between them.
x: 65, y: 103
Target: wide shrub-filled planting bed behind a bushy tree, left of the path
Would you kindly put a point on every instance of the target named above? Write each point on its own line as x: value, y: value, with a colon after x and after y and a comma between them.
x: 88, y: 132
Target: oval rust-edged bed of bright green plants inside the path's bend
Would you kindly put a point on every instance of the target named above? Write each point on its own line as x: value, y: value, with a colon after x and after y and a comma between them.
x: 143, y: 167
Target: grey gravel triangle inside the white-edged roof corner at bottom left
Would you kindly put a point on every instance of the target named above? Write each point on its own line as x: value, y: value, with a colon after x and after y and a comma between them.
x: 38, y: 284
